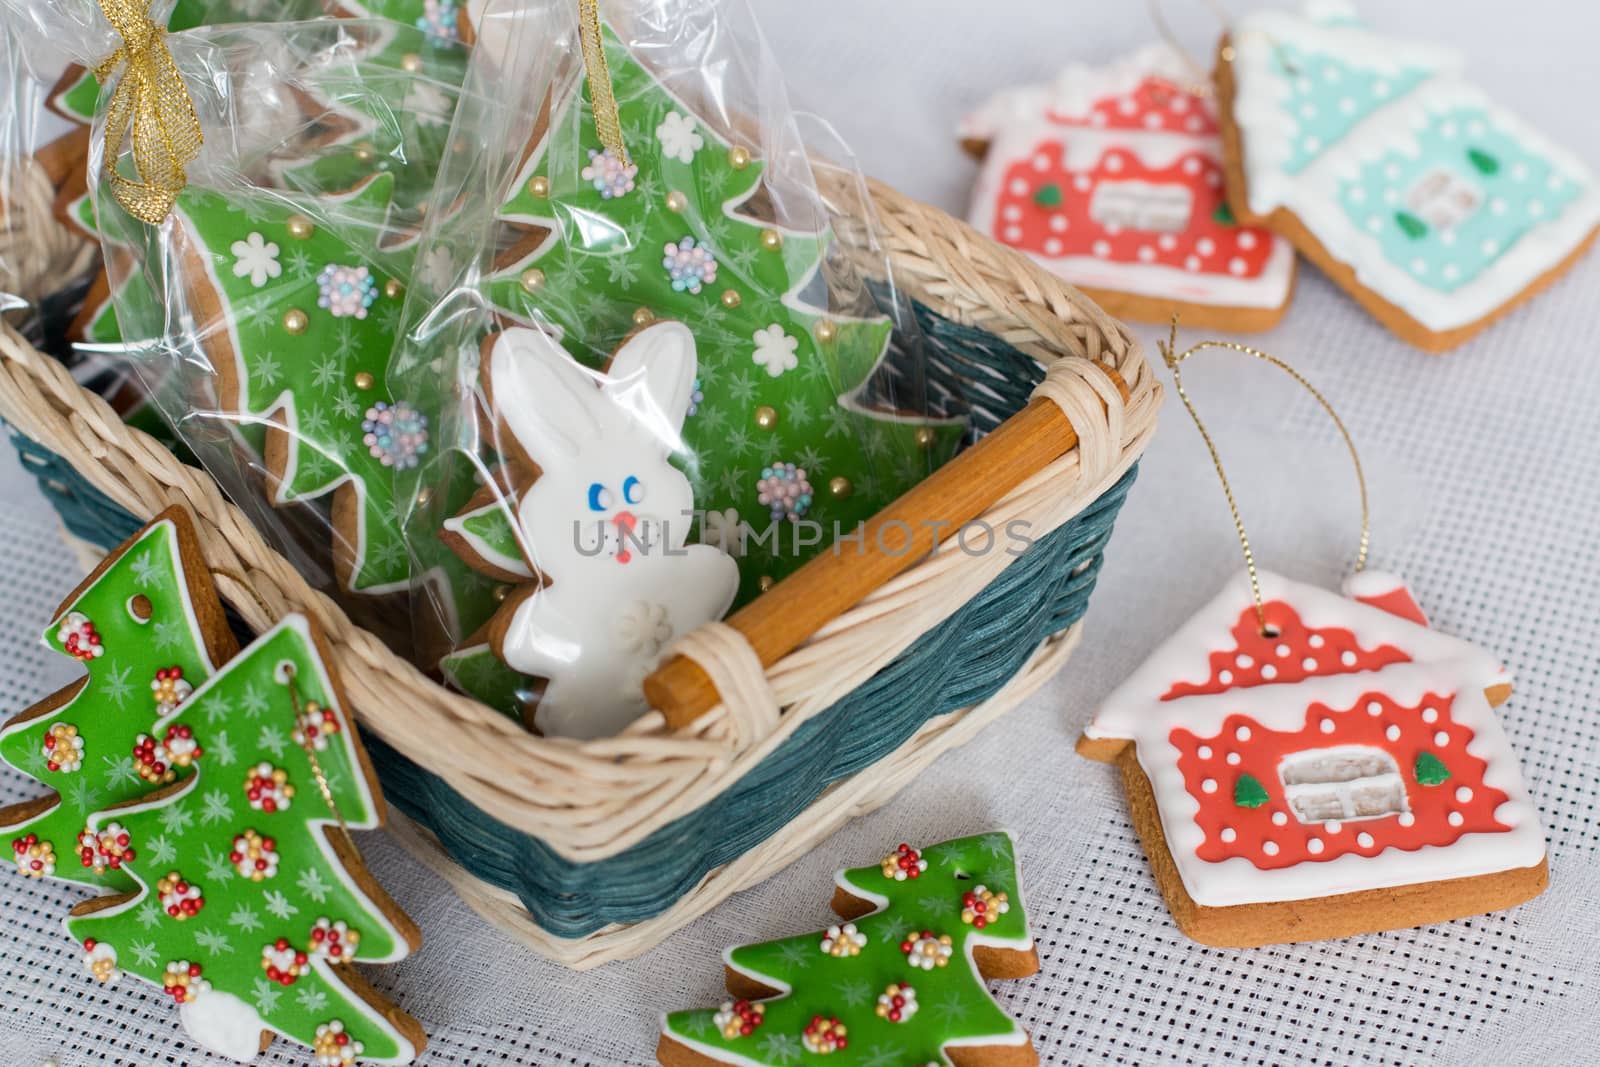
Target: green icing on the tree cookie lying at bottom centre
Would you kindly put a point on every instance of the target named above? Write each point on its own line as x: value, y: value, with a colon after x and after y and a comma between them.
x: 953, y: 1004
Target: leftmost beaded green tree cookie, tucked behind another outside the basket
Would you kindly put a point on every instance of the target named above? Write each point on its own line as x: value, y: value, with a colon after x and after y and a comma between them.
x: 148, y: 628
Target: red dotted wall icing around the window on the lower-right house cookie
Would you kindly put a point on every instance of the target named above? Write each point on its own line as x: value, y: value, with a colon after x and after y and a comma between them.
x: 1308, y: 773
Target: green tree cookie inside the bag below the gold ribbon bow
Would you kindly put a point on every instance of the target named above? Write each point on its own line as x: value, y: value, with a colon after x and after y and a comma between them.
x: 297, y: 308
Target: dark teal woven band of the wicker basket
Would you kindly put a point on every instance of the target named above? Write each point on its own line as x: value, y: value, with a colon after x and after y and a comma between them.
x: 964, y: 661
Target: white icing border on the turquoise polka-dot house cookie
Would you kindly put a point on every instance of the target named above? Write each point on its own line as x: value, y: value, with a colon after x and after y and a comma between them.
x: 1268, y: 130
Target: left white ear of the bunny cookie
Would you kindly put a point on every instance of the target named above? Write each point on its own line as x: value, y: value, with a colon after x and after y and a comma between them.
x: 543, y: 396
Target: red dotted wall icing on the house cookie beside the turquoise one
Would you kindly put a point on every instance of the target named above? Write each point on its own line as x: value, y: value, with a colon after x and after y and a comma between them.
x: 1047, y: 206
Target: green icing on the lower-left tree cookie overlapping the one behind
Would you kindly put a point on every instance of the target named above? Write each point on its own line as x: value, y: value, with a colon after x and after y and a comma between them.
x: 191, y: 828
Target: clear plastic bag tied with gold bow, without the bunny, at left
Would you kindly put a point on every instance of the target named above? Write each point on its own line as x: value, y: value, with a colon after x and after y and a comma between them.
x: 262, y: 313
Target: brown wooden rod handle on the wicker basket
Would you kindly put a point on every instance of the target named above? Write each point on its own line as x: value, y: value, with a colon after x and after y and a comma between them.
x: 831, y: 583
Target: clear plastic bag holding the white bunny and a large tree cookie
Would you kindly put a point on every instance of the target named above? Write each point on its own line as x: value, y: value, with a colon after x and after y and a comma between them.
x: 671, y: 382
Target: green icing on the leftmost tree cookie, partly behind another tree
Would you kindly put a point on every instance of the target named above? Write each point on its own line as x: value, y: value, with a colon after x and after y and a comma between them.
x: 114, y: 705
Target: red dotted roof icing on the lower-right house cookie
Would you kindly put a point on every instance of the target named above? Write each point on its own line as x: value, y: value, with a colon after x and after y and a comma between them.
x: 1290, y: 652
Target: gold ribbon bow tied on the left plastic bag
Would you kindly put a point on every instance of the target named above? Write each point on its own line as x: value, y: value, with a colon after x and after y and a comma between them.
x: 153, y: 100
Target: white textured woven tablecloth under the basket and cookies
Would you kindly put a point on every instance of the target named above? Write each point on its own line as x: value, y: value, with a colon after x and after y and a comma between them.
x: 1486, y: 474
